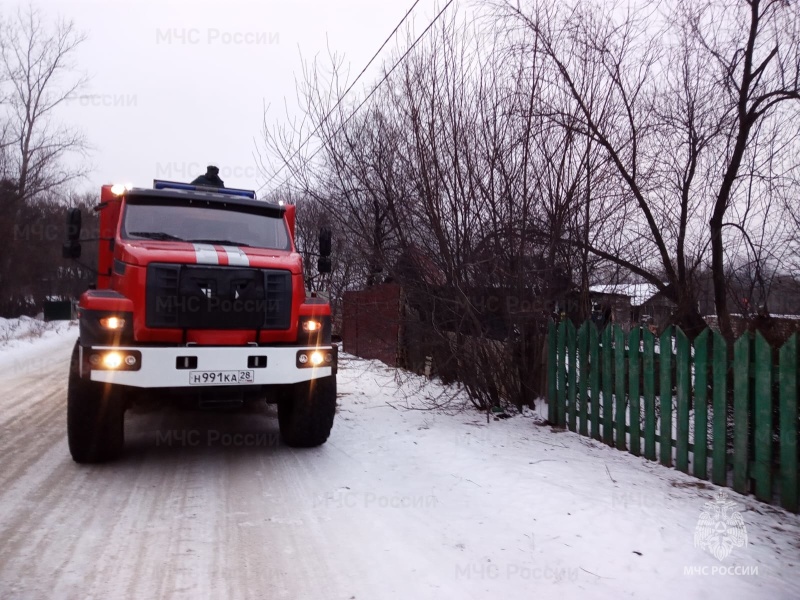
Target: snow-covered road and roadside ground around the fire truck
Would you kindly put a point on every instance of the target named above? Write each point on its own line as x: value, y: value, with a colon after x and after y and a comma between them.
x: 398, y: 504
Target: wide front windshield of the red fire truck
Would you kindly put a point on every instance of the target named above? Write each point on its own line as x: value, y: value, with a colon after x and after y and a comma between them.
x: 204, y: 224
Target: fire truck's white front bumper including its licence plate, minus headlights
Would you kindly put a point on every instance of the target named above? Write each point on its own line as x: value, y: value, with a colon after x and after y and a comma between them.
x: 209, y: 366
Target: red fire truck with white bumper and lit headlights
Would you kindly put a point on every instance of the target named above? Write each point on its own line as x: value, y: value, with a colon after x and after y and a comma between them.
x: 199, y: 295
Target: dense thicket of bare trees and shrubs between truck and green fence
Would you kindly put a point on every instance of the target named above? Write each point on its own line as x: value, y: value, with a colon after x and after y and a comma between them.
x: 504, y: 160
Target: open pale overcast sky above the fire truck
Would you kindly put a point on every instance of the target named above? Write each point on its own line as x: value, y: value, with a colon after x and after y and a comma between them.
x: 175, y: 85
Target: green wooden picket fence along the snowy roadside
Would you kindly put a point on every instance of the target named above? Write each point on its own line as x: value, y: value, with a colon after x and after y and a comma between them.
x: 684, y: 404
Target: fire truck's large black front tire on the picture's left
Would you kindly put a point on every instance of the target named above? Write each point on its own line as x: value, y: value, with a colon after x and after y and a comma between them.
x: 95, y: 417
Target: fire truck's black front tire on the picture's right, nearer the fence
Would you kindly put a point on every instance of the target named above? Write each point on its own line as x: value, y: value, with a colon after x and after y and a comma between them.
x: 306, y: 411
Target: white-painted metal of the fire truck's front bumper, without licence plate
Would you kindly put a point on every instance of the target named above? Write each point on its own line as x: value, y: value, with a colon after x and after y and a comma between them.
x: 158, y: 366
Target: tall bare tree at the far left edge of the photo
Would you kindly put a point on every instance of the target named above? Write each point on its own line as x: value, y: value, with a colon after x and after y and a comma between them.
x: 36, y: 77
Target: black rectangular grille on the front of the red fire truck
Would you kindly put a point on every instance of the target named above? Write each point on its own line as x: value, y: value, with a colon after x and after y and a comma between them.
x: 202, y: 297
